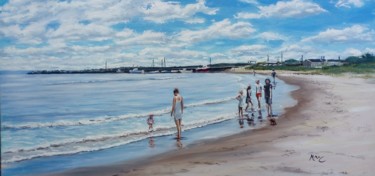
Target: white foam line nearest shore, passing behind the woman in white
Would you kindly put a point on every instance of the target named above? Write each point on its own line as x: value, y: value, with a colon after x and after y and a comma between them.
x: 95, y: 143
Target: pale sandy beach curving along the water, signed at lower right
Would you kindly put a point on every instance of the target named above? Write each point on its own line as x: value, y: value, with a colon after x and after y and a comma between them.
x: 331, y: 131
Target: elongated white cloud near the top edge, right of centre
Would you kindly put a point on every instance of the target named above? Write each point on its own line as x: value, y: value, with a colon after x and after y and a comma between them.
x: 285, y: 9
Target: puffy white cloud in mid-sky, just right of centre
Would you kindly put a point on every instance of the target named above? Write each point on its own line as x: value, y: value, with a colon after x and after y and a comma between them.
x: 221, y: 29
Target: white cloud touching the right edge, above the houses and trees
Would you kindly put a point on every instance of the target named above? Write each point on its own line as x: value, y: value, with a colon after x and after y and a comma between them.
x: 355, y: 33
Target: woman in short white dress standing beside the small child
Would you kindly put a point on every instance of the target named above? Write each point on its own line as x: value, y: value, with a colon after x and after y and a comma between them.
x: 177, y: 110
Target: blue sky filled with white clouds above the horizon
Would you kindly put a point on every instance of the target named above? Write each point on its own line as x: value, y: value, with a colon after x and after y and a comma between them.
x: 84, y: 34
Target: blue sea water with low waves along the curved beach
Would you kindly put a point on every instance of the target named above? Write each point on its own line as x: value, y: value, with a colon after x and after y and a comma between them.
x: 49, y: 119
